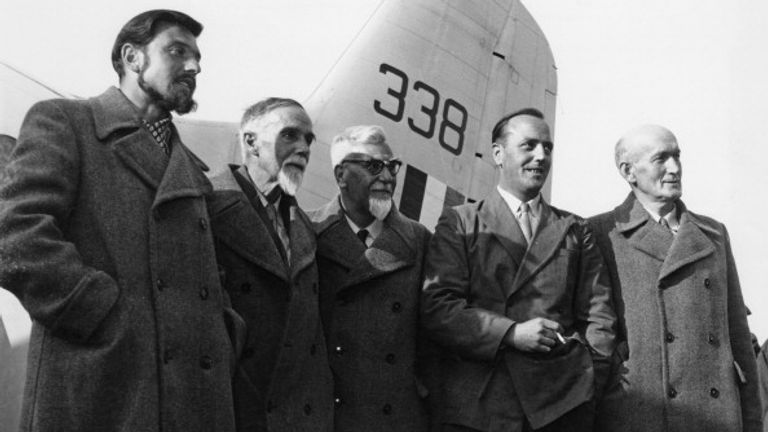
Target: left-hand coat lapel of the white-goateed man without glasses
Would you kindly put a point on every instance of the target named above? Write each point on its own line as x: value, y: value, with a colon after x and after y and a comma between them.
x: 236, y: 223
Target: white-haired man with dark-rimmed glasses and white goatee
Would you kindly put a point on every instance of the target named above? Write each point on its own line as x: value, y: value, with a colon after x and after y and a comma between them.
x: 370, y: 260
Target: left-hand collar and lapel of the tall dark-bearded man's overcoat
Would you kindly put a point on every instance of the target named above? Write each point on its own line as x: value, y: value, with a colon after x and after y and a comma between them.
x: 116, y: 118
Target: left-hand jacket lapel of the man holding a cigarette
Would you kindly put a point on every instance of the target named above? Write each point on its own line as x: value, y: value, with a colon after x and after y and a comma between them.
x: 501, y: 223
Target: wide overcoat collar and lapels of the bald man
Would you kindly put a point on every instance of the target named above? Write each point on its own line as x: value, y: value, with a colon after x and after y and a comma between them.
x: 691, y: 243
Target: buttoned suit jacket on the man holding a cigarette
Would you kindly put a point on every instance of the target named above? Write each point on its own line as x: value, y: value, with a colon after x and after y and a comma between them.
x: 480, y: 280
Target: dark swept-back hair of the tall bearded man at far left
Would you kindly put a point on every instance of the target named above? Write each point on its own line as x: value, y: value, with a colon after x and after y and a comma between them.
x: 142, y: 28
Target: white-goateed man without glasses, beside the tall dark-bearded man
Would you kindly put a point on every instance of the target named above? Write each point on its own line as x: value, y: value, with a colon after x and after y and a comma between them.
x: 265, y: 247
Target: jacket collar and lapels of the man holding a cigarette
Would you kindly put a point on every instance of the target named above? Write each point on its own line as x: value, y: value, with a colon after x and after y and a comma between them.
x: 553, y: 226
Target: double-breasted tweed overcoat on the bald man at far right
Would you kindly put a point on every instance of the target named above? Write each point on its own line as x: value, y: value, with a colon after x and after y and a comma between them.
x: 685, y: 359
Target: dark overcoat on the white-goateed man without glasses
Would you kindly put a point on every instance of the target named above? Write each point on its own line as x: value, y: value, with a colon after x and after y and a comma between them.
x: 283, y: 382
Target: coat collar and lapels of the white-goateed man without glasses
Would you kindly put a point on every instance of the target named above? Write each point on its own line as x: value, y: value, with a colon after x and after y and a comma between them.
x: 237, y: 224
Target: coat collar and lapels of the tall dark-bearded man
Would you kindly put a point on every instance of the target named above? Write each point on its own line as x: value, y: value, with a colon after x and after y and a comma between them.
x: 178, y: 176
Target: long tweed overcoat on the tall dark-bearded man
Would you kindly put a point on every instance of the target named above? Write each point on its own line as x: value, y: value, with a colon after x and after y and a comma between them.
x: 106, y: 243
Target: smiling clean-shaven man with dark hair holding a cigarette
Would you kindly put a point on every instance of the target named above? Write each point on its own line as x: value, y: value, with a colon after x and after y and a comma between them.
x: 516, y: 292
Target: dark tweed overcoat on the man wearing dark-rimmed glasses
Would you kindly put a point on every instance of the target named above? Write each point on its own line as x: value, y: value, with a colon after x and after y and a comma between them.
x: 370, y: 304
